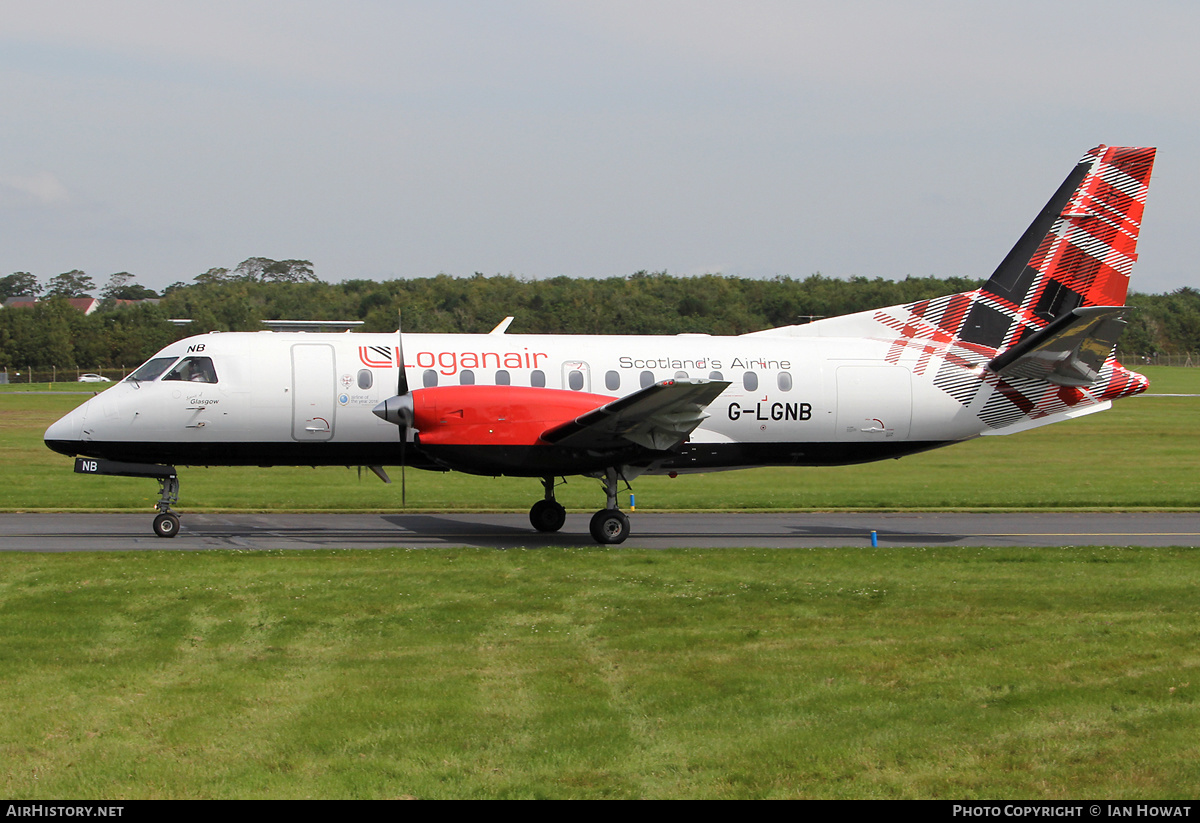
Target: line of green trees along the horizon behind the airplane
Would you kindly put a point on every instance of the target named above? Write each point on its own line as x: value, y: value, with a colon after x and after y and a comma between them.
x: 55, y: 334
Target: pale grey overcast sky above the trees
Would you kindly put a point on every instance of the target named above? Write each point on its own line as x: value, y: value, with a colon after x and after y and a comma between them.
x: 404, y: 139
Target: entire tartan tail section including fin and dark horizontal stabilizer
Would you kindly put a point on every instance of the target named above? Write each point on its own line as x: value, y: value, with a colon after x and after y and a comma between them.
x: 1045, y: 327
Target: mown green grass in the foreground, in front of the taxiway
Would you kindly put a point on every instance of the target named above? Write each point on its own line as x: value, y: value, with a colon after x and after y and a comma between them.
x: 602, y: 674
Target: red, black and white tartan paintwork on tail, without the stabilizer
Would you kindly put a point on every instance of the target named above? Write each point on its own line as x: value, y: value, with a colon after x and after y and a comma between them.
x: 1078, y: 253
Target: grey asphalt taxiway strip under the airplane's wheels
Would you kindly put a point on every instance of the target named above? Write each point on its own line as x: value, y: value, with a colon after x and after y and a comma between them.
x: 200, y: 532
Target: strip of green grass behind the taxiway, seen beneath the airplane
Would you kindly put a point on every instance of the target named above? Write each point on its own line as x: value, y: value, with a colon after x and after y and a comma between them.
x: 1139, y: 455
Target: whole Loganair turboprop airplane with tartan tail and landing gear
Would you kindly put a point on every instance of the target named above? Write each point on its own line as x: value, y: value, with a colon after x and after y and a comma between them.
x: 1031, y: 347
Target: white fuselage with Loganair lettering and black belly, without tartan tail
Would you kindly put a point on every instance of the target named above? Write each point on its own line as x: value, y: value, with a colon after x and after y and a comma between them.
x: 301, y: 399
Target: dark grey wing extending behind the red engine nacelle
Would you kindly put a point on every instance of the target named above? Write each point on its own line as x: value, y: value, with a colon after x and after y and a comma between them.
x: 661, y: 417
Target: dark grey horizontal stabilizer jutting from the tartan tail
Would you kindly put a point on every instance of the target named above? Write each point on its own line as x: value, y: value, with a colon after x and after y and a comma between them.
x: 1070, y: 352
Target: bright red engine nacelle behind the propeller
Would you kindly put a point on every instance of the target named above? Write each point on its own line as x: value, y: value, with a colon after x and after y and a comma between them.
x: 495, y: 416
